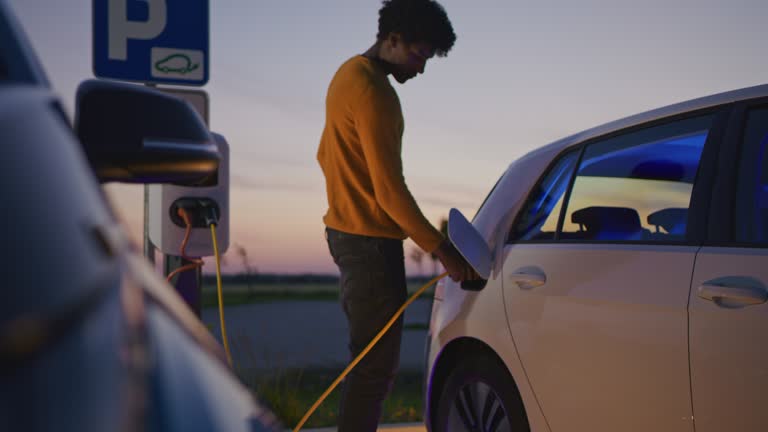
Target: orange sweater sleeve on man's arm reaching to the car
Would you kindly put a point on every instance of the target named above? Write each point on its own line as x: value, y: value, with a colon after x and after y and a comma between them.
x: 378, y: 121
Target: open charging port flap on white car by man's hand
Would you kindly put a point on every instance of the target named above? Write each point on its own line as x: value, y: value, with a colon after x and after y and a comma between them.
x: 472, y: 246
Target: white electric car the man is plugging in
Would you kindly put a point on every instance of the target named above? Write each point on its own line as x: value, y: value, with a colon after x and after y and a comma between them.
x: 628, y: 283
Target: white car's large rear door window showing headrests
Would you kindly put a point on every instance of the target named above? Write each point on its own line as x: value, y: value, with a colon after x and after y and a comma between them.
x: 637, y: 186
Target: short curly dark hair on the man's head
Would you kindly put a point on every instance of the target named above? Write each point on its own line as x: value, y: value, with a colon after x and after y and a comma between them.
x: 417, y: 21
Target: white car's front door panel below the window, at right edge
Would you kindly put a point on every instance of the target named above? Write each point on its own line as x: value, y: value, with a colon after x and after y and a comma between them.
x: 729, y: 352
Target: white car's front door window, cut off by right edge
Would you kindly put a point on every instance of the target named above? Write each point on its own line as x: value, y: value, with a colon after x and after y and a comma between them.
x: 751, y: 221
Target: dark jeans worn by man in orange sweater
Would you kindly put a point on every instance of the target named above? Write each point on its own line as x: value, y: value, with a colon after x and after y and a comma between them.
x: 372, y: 289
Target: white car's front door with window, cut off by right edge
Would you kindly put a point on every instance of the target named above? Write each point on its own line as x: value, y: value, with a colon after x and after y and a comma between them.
x: 728, y: 310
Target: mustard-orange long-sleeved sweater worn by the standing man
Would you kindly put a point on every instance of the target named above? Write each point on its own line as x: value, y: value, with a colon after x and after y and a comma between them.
x: 359, y: 154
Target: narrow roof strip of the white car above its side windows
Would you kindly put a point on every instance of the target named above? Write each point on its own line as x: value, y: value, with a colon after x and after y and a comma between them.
x: 657, y: 114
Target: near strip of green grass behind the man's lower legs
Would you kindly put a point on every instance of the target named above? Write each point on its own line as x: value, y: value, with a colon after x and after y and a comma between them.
x: 290, y: 393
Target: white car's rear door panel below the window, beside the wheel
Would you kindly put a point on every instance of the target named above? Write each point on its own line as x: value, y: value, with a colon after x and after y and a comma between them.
x: 606, y: 330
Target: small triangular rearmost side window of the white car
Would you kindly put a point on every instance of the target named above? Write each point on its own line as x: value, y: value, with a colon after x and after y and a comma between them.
x: 538, y: 218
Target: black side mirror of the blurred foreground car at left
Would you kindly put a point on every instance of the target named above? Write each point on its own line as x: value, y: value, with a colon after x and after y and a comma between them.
x: 136, y: 134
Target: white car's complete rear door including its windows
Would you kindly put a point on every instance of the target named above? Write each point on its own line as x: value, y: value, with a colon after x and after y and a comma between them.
x: 597, y: 274
